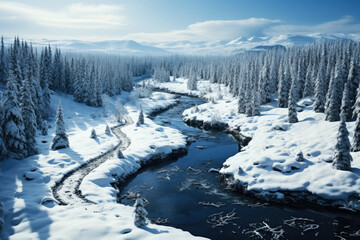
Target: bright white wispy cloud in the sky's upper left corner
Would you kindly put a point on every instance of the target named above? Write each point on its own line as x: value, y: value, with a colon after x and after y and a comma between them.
x: 75, y: 16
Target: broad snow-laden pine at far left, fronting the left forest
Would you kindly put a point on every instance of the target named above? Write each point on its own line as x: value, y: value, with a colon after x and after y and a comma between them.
x: 13, y: 125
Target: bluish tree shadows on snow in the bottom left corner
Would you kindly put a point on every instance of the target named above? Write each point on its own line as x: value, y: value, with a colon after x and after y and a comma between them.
x: 22, y: 193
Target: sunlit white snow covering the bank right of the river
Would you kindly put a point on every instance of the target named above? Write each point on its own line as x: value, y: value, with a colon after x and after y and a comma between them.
x: 267, y: 164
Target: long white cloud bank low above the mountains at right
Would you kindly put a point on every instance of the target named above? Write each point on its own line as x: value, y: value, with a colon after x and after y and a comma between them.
x: 251, y: 27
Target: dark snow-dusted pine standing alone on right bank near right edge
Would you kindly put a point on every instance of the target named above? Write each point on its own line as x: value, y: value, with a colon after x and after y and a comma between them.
x: 342, y: 157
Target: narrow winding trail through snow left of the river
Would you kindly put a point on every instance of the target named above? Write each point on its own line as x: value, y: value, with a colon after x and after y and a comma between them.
x: 67, y: 191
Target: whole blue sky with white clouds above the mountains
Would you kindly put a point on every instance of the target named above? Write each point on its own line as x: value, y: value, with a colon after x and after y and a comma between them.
x: 162, y: 20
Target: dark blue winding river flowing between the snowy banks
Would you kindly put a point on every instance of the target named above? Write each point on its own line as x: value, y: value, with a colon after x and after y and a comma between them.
x: 175, y: 190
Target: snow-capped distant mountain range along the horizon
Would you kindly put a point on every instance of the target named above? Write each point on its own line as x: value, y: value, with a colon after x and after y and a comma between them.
x: 233, y: 46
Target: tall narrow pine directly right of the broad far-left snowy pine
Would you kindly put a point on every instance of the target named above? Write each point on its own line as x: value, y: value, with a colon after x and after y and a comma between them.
x: 29, y: 118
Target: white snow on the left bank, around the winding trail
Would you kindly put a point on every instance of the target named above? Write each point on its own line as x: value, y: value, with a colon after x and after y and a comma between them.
x: 31, y: 212
